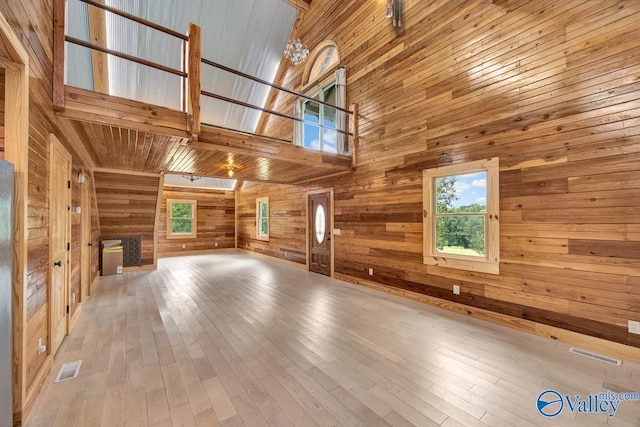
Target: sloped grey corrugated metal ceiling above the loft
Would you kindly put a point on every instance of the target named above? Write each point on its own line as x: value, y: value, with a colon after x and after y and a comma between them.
x: 246, y: 35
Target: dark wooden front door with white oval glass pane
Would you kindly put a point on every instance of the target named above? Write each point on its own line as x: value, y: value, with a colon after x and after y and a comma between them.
x: 320, y: 233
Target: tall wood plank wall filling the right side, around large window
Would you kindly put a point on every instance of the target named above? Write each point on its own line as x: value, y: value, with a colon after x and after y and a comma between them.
x: 552, y: 89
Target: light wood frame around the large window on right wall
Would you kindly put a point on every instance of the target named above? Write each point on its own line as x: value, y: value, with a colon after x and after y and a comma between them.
x: 490, y: 263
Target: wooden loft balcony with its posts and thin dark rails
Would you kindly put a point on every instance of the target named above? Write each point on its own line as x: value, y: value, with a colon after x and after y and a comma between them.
x: 132, y: 135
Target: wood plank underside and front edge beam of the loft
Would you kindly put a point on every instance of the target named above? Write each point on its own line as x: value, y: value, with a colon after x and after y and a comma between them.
x: 128, y: 135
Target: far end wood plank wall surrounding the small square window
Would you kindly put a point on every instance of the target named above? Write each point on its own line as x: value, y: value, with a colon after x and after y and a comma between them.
x: 216, y: 216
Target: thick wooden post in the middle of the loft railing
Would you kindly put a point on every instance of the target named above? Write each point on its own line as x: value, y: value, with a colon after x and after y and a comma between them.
x: 194, y: 62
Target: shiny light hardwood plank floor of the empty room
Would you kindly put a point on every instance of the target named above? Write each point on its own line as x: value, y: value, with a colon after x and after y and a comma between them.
x: 232, y: 340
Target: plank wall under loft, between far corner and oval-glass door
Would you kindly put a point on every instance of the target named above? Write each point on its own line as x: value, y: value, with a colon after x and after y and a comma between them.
x: 287, y: 220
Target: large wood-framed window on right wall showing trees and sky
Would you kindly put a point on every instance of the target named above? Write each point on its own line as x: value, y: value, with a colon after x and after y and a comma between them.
x: 461, y: 227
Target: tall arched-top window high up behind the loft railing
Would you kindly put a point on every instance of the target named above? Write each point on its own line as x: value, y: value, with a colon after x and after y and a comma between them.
x: 324, y: 81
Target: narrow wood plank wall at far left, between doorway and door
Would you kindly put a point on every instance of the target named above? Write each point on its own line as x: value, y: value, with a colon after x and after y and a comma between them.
x: 32, y: 22
